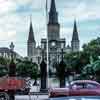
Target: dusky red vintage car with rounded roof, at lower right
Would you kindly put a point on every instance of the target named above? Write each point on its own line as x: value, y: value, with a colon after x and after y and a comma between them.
x: 77, y: 88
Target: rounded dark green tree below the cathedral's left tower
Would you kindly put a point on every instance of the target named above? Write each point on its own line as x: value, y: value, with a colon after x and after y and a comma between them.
x: 27, y: 69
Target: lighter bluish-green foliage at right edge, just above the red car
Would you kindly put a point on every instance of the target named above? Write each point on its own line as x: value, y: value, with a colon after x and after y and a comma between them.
x: 91, y: 71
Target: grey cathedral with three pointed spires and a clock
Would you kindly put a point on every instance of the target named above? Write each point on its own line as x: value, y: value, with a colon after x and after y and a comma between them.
x: 55, y: 43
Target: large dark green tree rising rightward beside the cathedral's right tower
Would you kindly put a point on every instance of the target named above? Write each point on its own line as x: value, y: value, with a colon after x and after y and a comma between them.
x: 77, y: 61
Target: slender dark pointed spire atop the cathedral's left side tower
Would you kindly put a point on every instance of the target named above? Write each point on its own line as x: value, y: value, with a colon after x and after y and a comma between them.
x: 31, y: 33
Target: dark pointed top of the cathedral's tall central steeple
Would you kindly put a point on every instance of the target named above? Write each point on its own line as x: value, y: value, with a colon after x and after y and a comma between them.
x: 53, y: 15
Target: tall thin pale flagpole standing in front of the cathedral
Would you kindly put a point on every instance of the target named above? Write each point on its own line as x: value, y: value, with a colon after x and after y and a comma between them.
x: 47, y: 44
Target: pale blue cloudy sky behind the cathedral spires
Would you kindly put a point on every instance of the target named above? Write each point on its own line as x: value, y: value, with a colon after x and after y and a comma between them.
x: 15, y: 21
